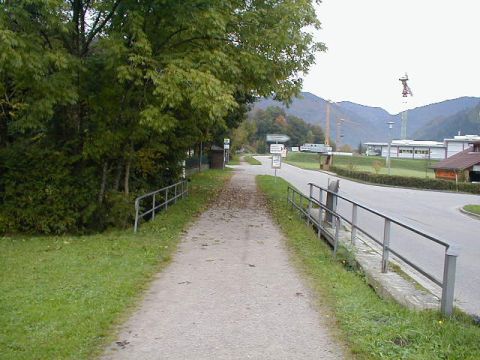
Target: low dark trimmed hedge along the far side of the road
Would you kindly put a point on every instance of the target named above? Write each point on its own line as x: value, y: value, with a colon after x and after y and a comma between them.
x: 411, y: 182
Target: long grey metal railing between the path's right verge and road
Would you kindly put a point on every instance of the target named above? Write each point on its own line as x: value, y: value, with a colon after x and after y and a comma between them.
x: 328, y: 222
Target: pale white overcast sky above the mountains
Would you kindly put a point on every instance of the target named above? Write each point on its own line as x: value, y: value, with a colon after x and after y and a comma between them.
x: 371, y: 43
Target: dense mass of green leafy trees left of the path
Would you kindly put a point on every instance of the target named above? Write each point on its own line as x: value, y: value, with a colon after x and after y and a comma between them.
x: 120, y: 91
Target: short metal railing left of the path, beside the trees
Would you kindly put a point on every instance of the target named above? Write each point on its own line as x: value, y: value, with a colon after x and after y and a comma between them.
x: 160, y: 199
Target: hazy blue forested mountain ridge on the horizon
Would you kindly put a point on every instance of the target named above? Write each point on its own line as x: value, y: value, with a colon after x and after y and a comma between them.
x: 365, y: 123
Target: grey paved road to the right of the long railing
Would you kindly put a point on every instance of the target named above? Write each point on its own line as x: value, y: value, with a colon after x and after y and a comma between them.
x: 434, y: 212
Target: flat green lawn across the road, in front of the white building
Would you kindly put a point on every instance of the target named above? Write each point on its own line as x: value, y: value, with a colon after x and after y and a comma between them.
x: 400, y: 167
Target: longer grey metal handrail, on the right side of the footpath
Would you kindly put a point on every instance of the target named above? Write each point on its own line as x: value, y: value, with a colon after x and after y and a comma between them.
x: 451, y: 252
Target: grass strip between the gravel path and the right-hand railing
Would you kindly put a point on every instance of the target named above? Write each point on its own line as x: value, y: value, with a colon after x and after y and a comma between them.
x: 373, y: 328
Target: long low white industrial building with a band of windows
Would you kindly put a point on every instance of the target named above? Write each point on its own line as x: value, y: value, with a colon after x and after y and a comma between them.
x: 414, y: 149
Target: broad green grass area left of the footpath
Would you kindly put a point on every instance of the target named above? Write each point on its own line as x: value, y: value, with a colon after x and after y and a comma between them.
x: 60, y: 297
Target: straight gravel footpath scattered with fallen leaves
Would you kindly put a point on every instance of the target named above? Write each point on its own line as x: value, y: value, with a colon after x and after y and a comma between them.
x: 230, y: 293
